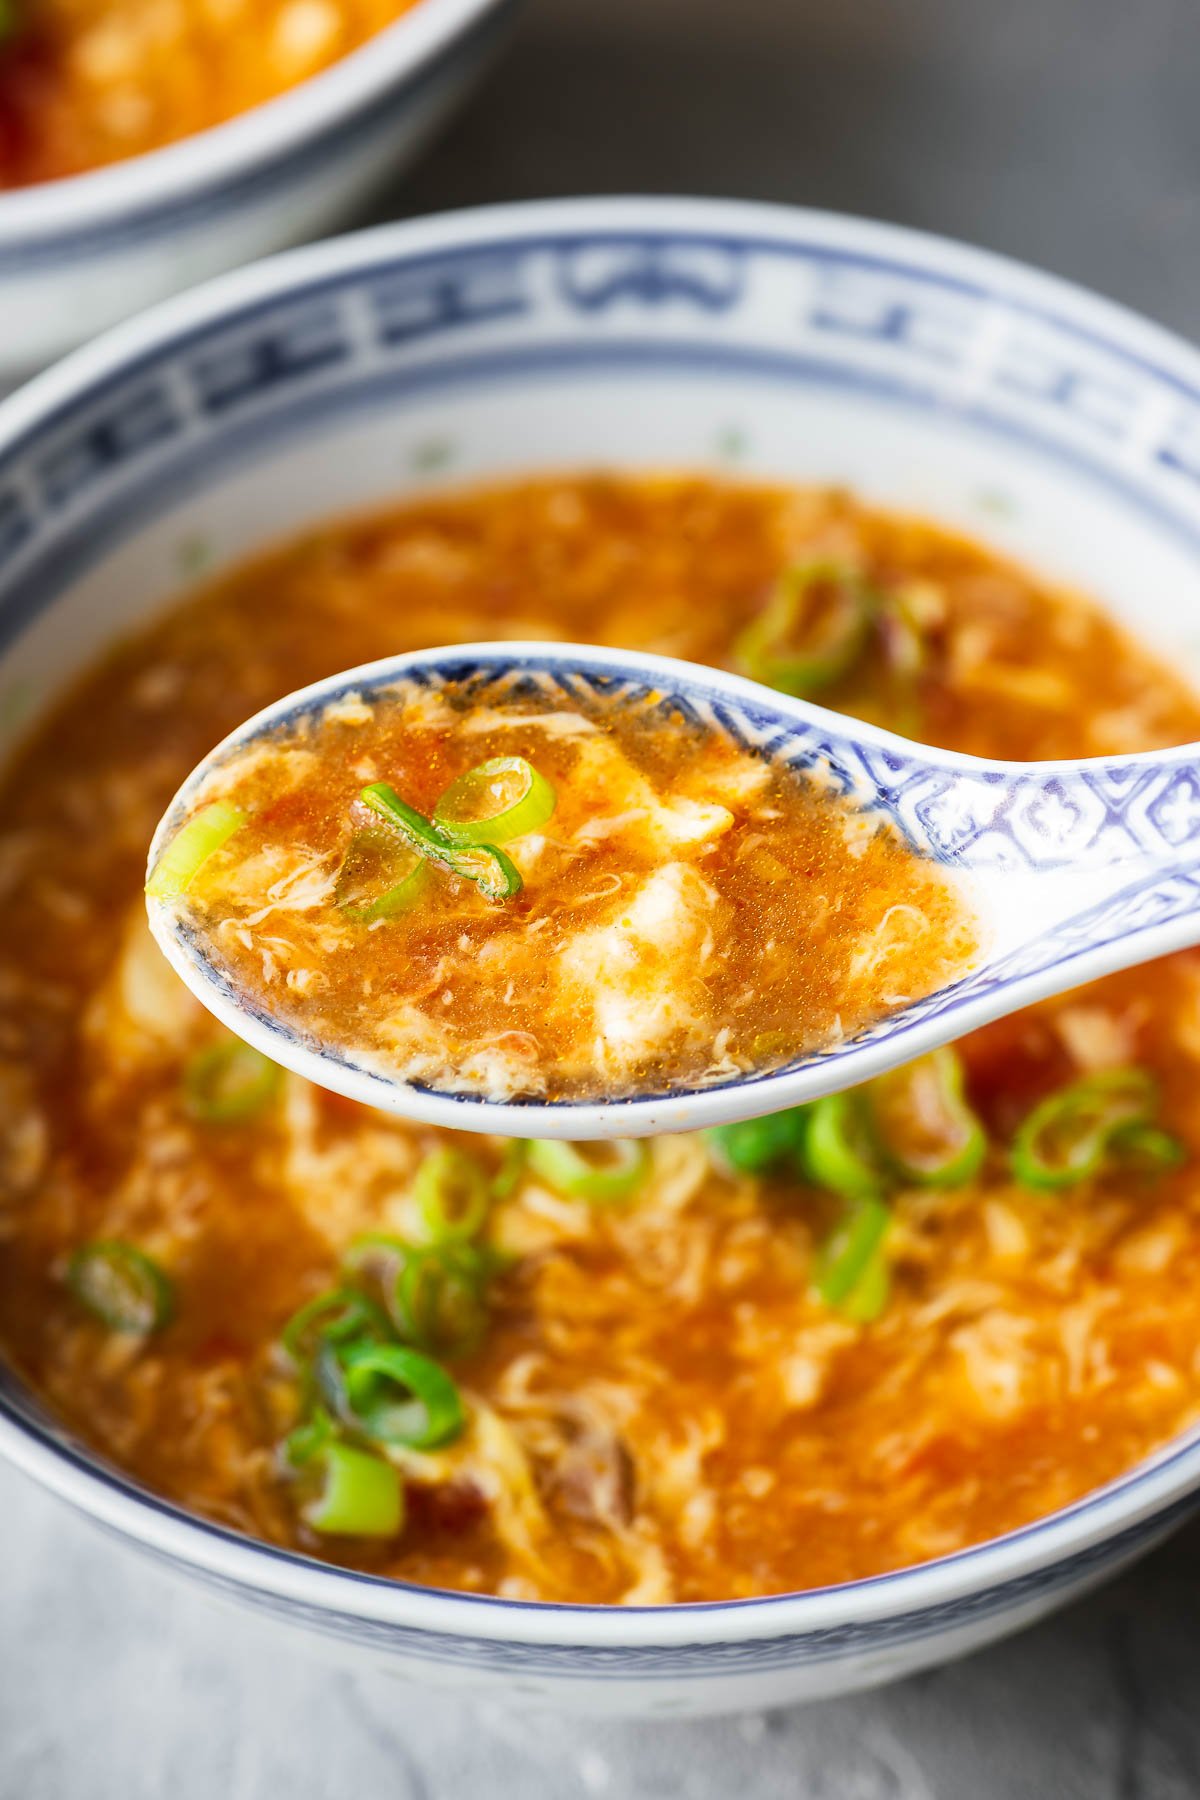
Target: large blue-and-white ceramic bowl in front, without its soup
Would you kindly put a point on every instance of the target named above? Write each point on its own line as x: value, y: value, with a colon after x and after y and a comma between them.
x: 627, y: 334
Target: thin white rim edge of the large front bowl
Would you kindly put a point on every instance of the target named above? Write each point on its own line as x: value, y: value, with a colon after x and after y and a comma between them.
x: 1134, y: 1498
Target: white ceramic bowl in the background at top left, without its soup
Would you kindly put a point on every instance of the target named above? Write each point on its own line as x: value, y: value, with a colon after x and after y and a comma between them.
x: 80, y: 255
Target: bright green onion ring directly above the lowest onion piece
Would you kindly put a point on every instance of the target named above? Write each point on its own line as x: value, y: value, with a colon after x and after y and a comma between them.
x: 391, y: 1394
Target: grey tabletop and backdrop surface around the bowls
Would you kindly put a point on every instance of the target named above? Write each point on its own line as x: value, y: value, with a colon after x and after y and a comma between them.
x: 1066, y: 132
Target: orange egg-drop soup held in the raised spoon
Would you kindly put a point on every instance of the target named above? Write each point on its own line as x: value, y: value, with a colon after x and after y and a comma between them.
x: 683, y: 915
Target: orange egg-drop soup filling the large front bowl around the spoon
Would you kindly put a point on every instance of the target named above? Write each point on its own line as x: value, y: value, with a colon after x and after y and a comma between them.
x: 663, y: 1405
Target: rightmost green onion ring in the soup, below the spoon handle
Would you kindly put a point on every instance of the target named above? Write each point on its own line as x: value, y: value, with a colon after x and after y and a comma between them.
x: 1070, y: 1135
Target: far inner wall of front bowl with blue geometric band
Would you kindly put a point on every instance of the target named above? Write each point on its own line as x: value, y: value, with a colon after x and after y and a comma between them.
x: 622, y: 336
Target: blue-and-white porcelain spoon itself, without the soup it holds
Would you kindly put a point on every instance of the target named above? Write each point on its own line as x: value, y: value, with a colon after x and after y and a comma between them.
x: 1070, y: 870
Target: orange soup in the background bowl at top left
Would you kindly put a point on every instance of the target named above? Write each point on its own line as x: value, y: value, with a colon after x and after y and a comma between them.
x: 94, y: 82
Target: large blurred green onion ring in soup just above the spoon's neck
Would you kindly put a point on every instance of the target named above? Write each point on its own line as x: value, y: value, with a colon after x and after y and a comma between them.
x: 812, y: 631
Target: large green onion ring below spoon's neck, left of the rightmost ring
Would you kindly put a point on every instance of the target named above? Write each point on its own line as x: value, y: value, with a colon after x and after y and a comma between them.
x: 924, y: 1126
